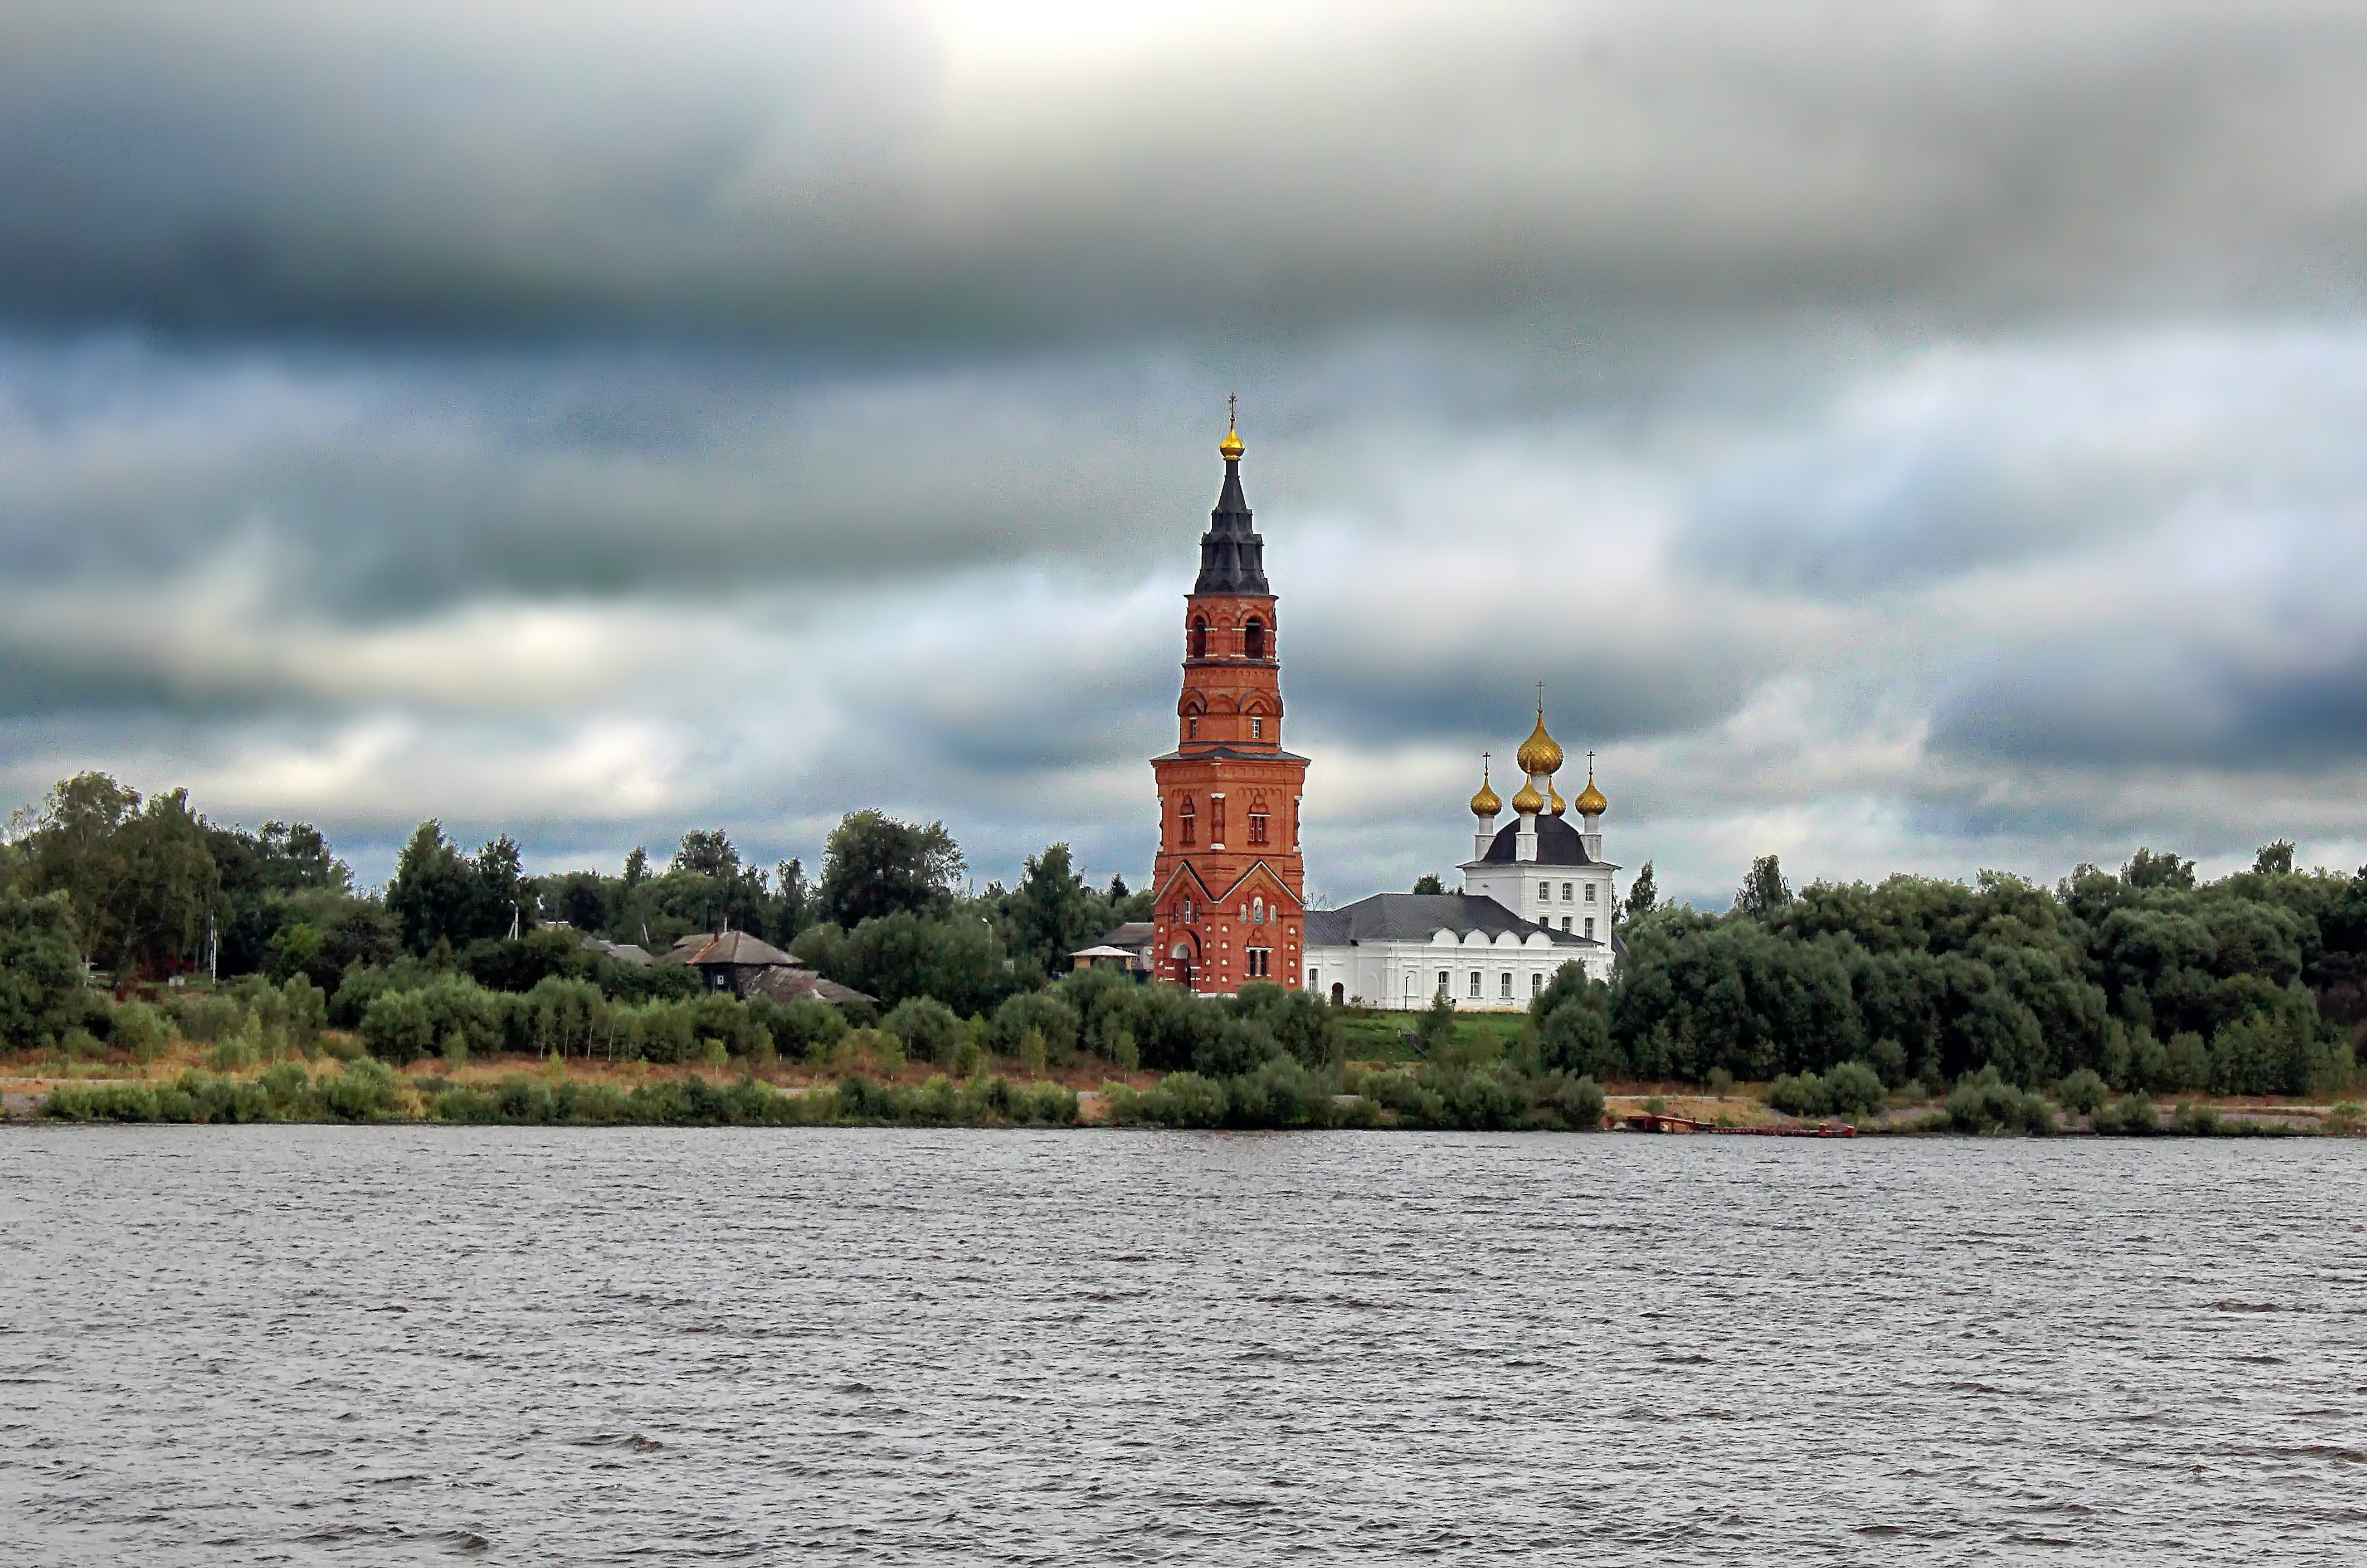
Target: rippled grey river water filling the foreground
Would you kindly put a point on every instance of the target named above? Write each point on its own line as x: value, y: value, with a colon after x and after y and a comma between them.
x: 841, y: 1347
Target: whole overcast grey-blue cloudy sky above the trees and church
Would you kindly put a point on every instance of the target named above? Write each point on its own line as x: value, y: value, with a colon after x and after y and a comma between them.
x: 1904, y: 437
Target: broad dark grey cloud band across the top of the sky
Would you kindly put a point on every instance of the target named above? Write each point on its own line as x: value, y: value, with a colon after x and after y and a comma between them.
x: 827, y: 174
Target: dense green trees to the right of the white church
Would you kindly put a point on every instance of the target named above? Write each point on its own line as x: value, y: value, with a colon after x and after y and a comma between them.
x: 2146, y: 977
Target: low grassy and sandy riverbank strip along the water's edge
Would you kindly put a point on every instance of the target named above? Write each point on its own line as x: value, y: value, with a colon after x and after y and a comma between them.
x: 524, y: 1091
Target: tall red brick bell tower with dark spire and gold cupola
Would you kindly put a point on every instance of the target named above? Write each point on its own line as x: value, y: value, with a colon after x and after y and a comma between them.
x: 1230, y: 878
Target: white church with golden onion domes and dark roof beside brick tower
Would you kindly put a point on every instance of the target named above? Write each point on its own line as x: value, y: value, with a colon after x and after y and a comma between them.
x: 1537, y: 894
